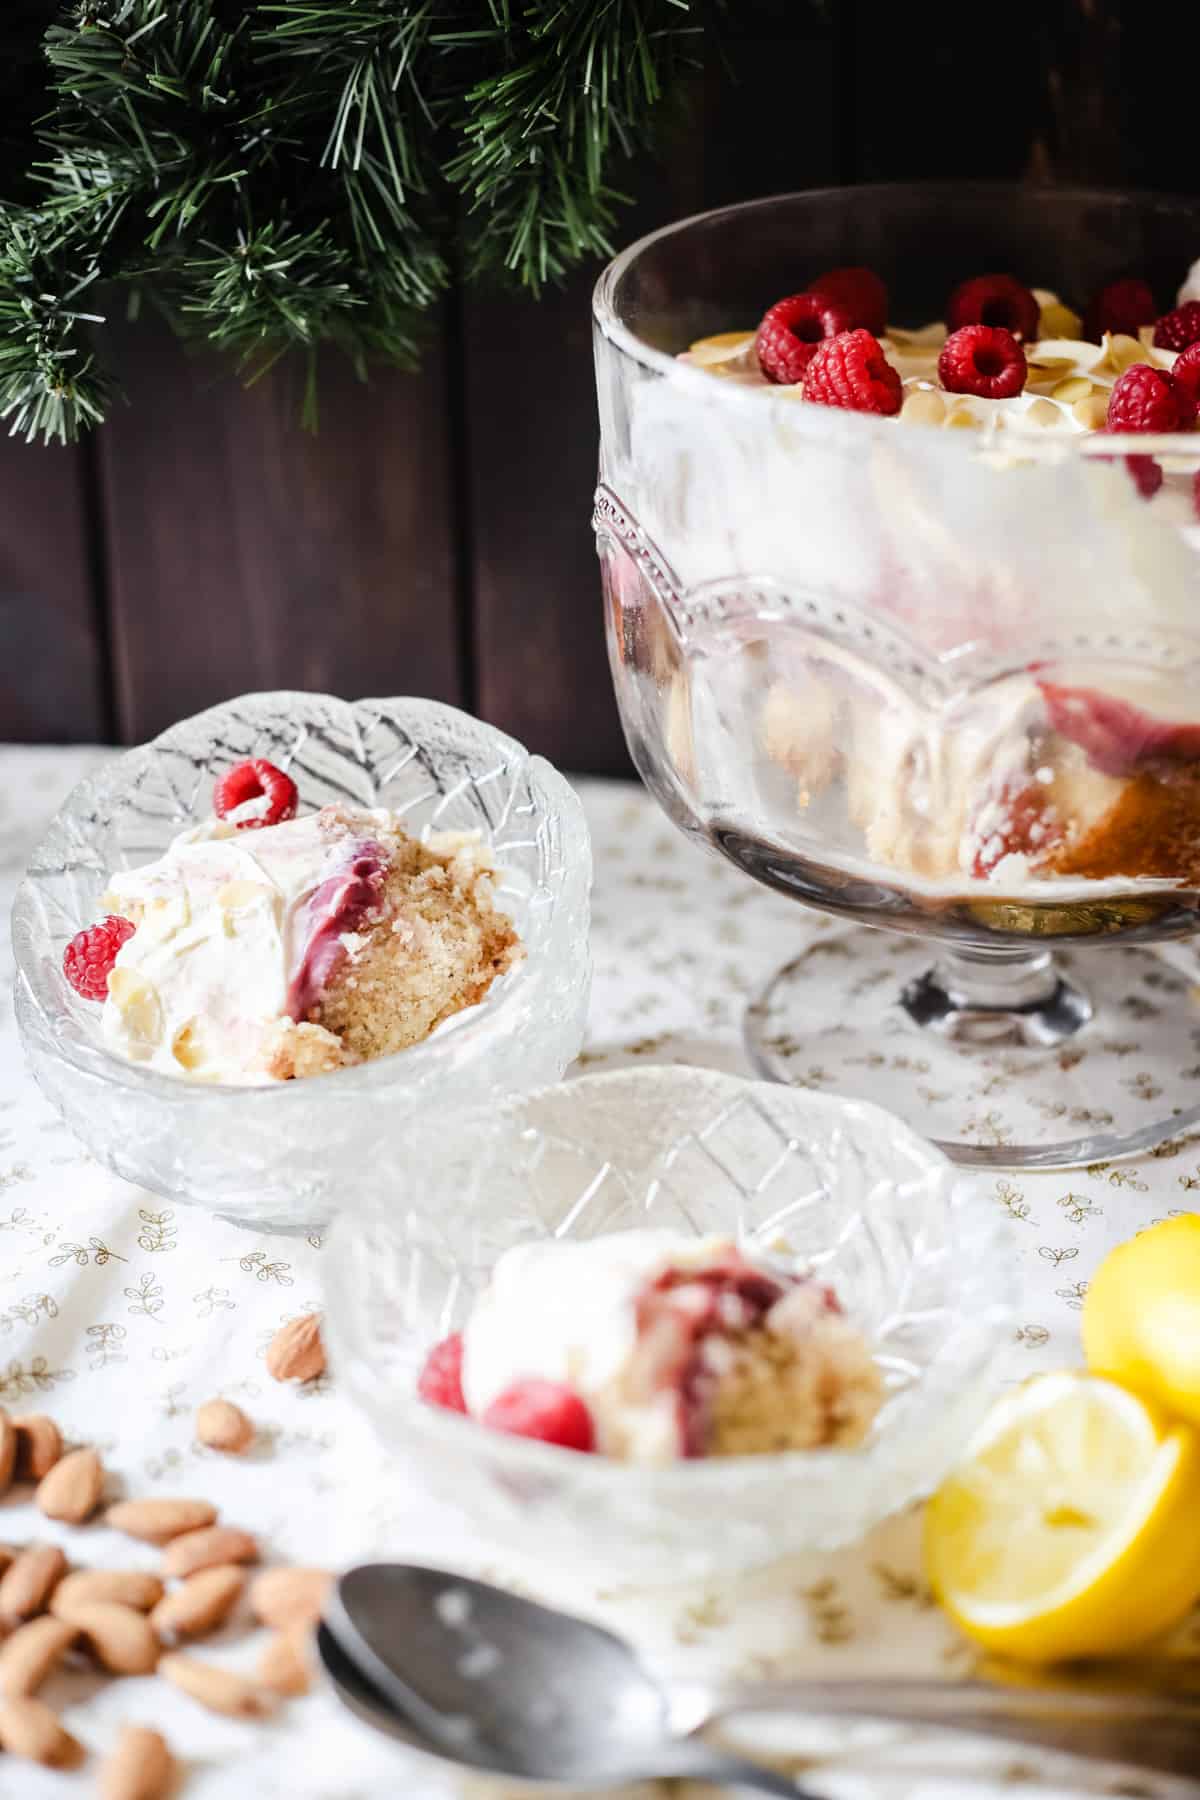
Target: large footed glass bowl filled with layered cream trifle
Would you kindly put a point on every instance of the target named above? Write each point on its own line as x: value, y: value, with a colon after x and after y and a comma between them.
x: 933, y: 679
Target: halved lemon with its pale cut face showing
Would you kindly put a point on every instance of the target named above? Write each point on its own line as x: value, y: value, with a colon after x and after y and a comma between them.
x: 1073, y: 1525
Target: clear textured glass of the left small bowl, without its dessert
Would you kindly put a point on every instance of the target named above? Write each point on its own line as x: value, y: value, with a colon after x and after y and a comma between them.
x: 289, y: 1155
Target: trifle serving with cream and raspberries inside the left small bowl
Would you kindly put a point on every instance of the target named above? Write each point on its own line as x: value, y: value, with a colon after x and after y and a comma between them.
x: 265, y: 953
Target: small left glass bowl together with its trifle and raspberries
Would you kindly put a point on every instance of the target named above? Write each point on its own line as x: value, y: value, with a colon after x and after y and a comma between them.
x: 253, y: 948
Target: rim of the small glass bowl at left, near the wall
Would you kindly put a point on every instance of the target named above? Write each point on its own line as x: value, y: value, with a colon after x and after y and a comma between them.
x: 388, y: 1072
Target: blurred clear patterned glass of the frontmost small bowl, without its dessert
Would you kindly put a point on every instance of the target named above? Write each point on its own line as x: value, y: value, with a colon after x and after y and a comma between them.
x: 920, y: 1259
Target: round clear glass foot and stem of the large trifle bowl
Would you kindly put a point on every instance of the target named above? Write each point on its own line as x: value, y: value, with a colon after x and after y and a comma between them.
x: 1003, y: 1061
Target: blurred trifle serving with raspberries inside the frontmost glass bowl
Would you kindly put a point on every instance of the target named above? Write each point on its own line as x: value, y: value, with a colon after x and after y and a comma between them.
x: 670, y: 1347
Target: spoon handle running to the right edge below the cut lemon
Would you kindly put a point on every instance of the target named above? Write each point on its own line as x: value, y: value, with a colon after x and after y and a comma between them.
x: 1084, y: 1718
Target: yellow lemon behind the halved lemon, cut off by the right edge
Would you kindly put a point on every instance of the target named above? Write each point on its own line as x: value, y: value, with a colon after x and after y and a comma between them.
x: 1142, y: 1317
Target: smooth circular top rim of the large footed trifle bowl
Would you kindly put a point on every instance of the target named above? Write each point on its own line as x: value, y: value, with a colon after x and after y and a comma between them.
x: 854, y: 429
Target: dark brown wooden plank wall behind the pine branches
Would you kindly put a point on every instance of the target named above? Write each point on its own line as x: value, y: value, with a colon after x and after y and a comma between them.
x: 434, y: 537
